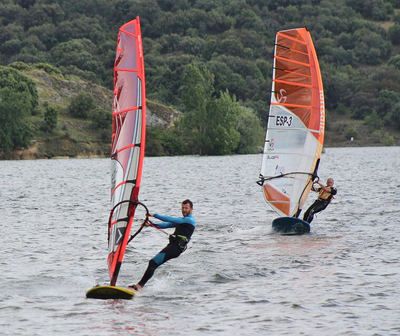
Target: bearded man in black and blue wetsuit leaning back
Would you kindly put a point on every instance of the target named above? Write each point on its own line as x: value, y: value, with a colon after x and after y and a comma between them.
x: 184, y: 228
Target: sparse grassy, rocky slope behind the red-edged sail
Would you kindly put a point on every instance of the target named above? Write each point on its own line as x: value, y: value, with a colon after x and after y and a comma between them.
x: 74, y: 137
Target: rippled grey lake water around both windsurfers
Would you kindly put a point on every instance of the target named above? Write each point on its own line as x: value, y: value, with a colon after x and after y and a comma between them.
x: 237, y: 277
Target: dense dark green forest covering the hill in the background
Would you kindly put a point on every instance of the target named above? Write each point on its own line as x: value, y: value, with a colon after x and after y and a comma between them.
x: 357, y: 42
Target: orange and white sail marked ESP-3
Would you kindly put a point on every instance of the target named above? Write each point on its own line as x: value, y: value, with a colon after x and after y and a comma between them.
x: 296, y: 123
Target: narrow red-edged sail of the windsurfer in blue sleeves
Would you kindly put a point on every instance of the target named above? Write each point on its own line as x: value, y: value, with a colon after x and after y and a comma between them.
x: 128, y: 140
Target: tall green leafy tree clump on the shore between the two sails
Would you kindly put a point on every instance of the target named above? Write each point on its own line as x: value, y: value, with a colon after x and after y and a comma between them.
x: 210, y: 123
